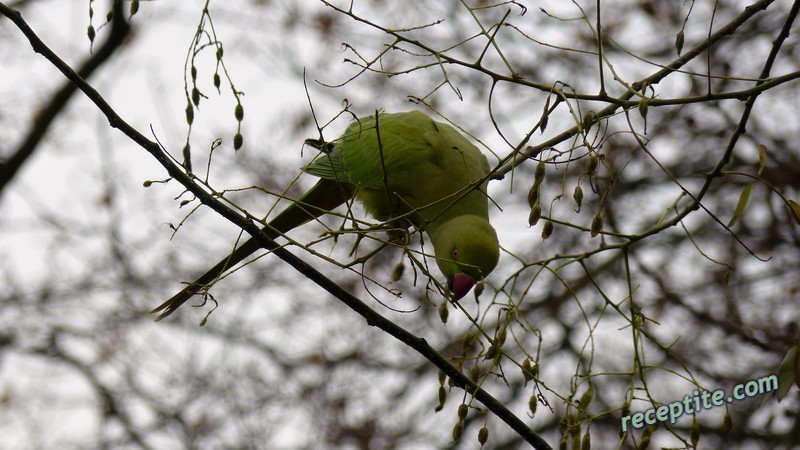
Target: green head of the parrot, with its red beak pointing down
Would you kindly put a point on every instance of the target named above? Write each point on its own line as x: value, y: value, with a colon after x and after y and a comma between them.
x: 467, y: 250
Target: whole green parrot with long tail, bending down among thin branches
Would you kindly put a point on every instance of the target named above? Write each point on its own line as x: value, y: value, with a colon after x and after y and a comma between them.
x: 405, y: 168
